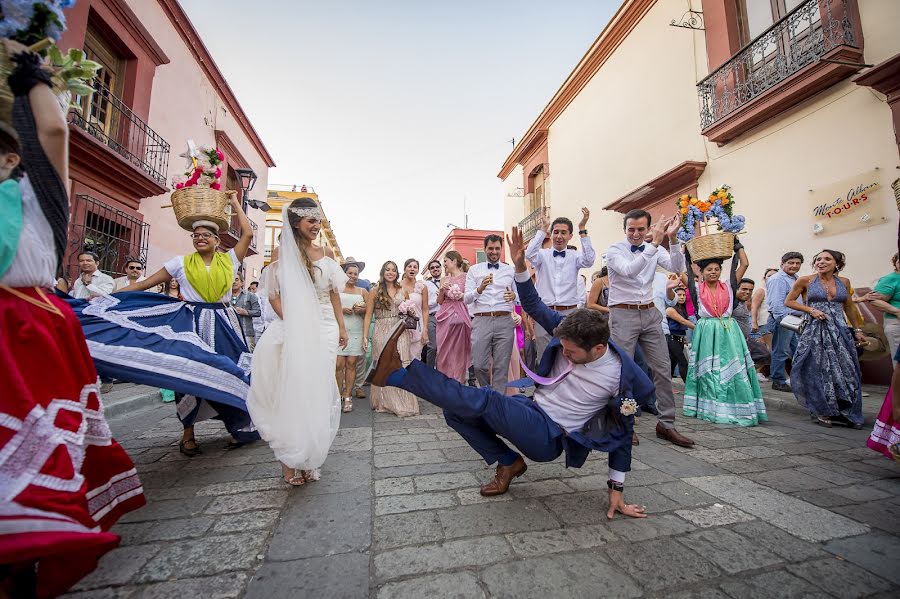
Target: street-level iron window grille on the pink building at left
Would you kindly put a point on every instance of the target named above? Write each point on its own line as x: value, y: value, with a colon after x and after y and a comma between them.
x: 115, y: 236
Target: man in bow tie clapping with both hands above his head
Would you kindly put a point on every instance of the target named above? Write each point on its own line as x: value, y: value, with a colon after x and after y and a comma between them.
x: 557, y: 267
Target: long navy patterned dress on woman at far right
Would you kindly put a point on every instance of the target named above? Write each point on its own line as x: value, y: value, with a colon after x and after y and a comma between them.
x: 825, y: 375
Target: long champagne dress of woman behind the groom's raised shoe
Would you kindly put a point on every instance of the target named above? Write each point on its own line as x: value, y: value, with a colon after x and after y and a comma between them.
x: 393, y: 399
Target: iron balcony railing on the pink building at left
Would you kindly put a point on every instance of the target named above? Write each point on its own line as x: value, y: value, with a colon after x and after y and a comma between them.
x: 111, y: 122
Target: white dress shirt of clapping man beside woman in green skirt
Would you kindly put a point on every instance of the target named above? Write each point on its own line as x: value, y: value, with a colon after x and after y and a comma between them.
x: 631, y: 273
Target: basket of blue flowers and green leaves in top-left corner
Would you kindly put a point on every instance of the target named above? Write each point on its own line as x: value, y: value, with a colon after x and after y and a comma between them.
x: 36, y: 24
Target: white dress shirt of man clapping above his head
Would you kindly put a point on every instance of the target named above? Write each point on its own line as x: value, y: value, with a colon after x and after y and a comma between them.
x: 557, y: 276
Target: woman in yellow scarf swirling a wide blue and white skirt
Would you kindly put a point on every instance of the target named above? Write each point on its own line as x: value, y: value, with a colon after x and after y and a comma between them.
x: 170, y: 341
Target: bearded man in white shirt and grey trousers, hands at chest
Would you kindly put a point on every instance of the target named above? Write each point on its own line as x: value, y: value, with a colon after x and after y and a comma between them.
x: 491, y: 299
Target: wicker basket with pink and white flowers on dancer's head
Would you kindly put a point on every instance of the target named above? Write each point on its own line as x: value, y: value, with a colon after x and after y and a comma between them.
x: 198, y: 194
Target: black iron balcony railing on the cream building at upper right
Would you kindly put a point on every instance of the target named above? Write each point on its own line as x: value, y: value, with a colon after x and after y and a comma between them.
x: 807, y: 33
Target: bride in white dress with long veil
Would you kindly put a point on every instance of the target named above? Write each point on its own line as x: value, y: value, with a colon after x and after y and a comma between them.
x: 294, y: 399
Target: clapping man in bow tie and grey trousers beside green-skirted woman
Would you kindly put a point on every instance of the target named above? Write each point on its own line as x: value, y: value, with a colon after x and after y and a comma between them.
x: 633, y: 316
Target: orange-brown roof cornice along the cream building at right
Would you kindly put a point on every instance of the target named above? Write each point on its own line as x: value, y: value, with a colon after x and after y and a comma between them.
x: 622, y: 23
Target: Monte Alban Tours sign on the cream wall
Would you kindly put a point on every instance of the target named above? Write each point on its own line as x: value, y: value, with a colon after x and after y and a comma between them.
x: 852, y: 203
